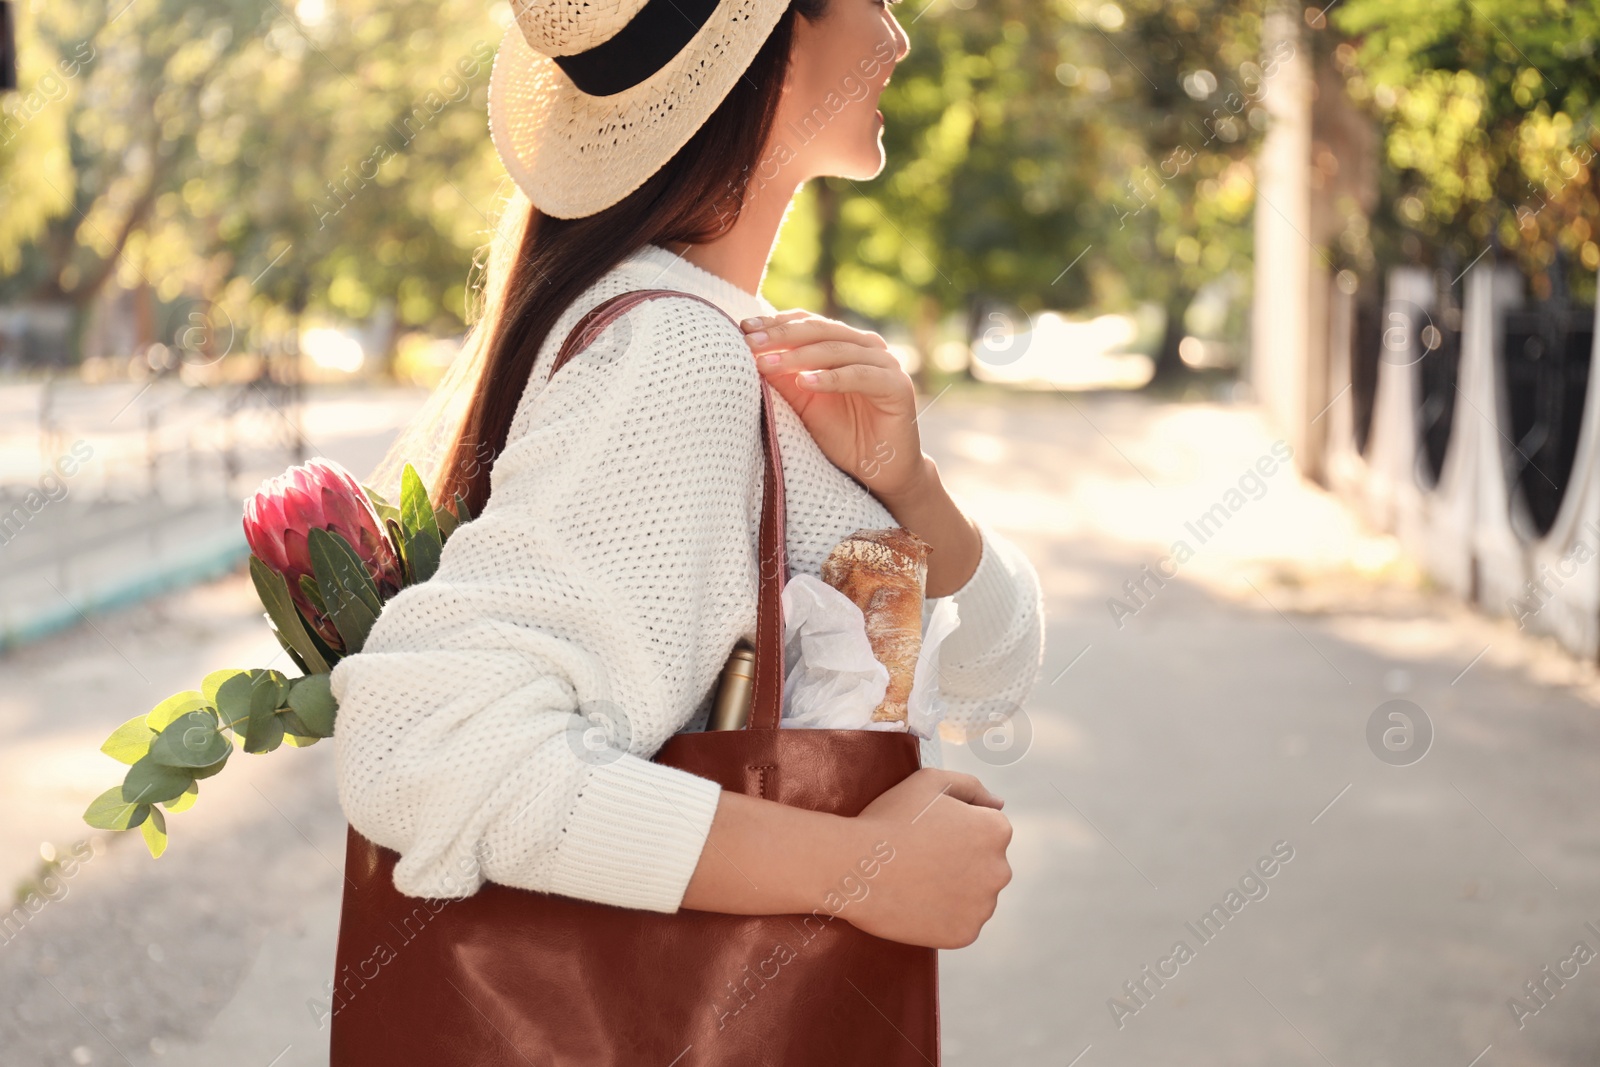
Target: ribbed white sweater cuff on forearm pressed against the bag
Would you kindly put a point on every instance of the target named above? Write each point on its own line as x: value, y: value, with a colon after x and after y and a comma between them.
x: 636, y: 836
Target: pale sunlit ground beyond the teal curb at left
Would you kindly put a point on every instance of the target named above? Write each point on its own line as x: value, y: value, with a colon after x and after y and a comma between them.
x: 114, y: 532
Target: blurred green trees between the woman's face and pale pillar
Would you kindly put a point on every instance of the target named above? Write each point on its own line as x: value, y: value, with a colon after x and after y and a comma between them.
x: 1057, y: 156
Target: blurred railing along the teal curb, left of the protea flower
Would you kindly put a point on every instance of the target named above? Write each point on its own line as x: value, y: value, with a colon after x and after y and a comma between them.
x: 113, y: 492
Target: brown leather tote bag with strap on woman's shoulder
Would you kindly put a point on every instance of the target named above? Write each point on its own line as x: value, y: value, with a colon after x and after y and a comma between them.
x: 511, y: 977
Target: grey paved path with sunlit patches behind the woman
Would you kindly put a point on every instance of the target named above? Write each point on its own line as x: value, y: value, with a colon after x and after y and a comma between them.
x: 1161, y: 762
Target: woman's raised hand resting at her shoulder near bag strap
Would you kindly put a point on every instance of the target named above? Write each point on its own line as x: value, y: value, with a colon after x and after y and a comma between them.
x: 852, y: 396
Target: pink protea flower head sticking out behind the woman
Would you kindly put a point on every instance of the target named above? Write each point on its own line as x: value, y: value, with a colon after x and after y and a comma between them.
x: 319, y: 495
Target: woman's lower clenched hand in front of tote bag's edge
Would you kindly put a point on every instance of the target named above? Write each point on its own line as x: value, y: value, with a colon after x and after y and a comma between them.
x: 948, y: 866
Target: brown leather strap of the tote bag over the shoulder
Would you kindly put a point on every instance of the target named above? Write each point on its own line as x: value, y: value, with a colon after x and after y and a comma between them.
x: 774, y: 561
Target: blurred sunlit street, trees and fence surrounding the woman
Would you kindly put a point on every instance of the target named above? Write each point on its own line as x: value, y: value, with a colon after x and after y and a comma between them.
x: 1132, y: 254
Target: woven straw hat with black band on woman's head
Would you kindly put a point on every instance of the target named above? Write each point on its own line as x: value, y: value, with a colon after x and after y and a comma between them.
x: 590, y: 98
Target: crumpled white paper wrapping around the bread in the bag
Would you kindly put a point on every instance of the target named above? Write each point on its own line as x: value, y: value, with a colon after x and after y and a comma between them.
x: 834, y: 679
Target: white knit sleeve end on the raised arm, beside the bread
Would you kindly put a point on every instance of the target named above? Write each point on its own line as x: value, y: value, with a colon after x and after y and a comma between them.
x: 988, y: 666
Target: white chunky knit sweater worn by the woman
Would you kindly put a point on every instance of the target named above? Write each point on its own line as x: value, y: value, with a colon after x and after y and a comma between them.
x: 596, y: 599
